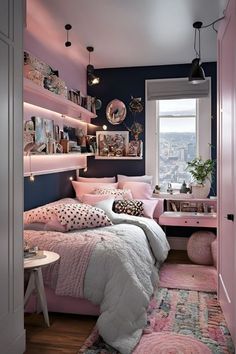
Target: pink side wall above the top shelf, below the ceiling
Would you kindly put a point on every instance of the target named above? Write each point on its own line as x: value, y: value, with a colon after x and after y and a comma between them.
x: 73, y: 74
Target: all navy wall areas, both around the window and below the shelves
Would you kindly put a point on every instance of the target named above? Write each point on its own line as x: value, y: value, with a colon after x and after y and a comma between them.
x: 120, y: 83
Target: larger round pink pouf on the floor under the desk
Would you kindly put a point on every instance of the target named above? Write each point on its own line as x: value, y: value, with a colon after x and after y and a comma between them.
x: 199, y: 247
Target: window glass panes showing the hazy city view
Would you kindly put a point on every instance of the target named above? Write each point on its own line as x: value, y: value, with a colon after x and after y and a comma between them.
x: 177, y: 140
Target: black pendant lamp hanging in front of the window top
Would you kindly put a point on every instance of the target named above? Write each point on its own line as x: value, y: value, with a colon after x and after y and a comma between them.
x: 197, y: 74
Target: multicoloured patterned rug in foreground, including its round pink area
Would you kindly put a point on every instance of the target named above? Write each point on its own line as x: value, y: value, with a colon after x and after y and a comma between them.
x: 195, y: 315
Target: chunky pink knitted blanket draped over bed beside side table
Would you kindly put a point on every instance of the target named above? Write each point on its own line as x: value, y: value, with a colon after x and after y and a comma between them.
x: 75, y: 249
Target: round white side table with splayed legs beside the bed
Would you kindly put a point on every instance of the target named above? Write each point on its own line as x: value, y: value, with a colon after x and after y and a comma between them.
x: 34, y: 266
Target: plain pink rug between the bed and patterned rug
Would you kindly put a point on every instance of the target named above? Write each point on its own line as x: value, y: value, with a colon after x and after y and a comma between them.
x: 189, y: 277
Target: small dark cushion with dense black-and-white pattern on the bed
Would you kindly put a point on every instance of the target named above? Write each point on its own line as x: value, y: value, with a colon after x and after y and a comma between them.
x: 131, y: 207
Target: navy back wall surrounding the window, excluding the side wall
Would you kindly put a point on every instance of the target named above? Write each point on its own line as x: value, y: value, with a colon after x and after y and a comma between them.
x: 122, y: 83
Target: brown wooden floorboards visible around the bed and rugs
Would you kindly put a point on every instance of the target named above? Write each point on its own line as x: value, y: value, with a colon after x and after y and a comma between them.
x: 67, y: 333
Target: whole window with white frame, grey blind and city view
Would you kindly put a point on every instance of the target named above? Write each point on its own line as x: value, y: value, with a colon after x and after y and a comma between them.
x: 183, y: 111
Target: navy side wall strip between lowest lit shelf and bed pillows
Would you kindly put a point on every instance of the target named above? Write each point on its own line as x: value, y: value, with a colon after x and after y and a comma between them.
x: 47, y: 188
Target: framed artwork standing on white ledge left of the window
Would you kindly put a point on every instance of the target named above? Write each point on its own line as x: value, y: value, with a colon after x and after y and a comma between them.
x: 112, y: 143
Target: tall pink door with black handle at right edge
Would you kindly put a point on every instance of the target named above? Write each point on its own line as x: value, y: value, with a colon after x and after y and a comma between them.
x: 226, y: 183
